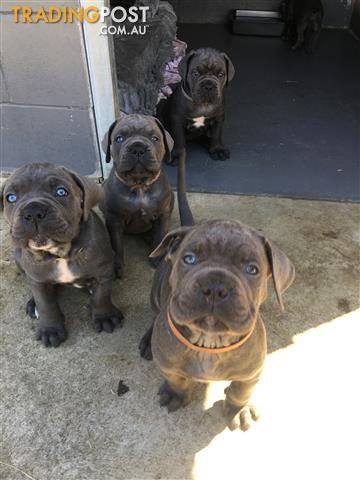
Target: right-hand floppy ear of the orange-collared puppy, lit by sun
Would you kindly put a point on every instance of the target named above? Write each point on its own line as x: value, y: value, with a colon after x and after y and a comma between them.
x: 282, y: 270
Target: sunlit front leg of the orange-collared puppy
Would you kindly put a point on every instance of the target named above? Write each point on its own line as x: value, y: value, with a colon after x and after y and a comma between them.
x: 237, y: 411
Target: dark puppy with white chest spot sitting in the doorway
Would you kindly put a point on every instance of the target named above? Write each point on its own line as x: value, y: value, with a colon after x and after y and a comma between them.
x: 196, y: 107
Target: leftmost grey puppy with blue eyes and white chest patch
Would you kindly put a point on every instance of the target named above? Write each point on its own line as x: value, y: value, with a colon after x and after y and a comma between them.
x: 58, y: 239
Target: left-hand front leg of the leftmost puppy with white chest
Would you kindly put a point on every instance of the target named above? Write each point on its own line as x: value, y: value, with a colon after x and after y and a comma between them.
x: 51, y: 330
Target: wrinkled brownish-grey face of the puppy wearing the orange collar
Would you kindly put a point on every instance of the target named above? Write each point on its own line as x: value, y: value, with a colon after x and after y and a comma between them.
x: 219, y: 279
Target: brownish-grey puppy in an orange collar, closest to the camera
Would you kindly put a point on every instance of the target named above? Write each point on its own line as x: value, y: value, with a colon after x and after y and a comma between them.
x: 207, y: 295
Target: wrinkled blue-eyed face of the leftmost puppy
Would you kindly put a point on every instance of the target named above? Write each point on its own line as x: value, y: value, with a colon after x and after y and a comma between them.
x: 43, y: 205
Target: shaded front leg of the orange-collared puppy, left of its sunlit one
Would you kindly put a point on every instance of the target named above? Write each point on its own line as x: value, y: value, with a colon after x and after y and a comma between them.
x: 175, y: 392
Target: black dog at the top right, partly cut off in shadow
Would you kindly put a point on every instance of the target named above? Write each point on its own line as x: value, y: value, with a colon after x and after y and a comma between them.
x: 303, y: 21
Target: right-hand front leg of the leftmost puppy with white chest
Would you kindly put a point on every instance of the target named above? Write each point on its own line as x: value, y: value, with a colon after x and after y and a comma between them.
x: 105, y: 315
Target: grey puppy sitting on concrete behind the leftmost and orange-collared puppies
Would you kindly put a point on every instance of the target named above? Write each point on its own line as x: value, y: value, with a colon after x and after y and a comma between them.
x: 138, y: 197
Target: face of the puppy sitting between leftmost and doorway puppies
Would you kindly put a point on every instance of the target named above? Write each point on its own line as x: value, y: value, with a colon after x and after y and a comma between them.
x: 138, y: 147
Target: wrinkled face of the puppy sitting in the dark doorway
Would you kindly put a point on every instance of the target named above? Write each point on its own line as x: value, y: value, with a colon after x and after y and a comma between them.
x: 207, y: 77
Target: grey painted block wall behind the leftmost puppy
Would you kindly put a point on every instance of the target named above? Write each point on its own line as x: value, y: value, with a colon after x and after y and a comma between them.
x: 45, y: 101
